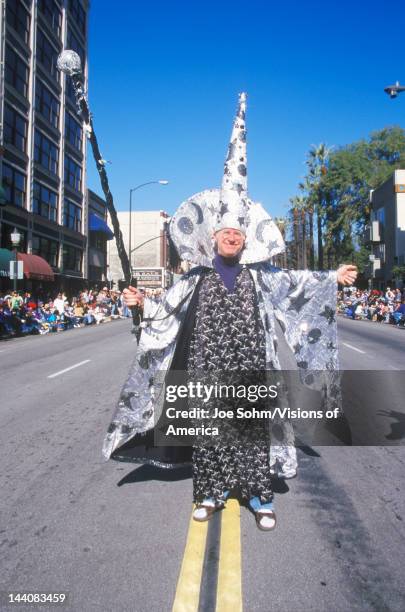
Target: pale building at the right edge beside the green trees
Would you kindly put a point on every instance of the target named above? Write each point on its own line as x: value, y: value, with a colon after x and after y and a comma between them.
x: 386, y: 233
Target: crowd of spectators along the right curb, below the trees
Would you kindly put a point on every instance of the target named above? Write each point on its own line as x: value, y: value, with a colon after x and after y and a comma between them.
x: 381, y: 306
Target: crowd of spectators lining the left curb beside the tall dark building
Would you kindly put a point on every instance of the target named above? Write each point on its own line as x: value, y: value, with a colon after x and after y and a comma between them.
x: 22, y: 313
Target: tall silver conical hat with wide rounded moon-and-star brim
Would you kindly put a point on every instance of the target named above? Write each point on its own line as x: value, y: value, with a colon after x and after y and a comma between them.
x: 198, y: 218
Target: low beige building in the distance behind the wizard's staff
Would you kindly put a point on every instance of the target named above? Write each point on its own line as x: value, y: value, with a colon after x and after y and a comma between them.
x: 145, y: 236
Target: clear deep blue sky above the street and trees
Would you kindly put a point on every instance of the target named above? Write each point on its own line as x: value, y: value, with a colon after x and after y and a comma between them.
x: 164, y: 78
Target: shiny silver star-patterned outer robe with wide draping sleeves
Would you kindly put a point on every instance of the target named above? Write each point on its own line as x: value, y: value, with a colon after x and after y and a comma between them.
x: 304, y: 302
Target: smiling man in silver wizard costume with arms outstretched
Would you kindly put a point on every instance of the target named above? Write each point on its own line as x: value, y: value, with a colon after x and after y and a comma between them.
x: 220, y: 316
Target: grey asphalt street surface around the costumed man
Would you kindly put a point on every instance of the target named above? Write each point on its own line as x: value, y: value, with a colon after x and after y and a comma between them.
x: 112, y: 536
